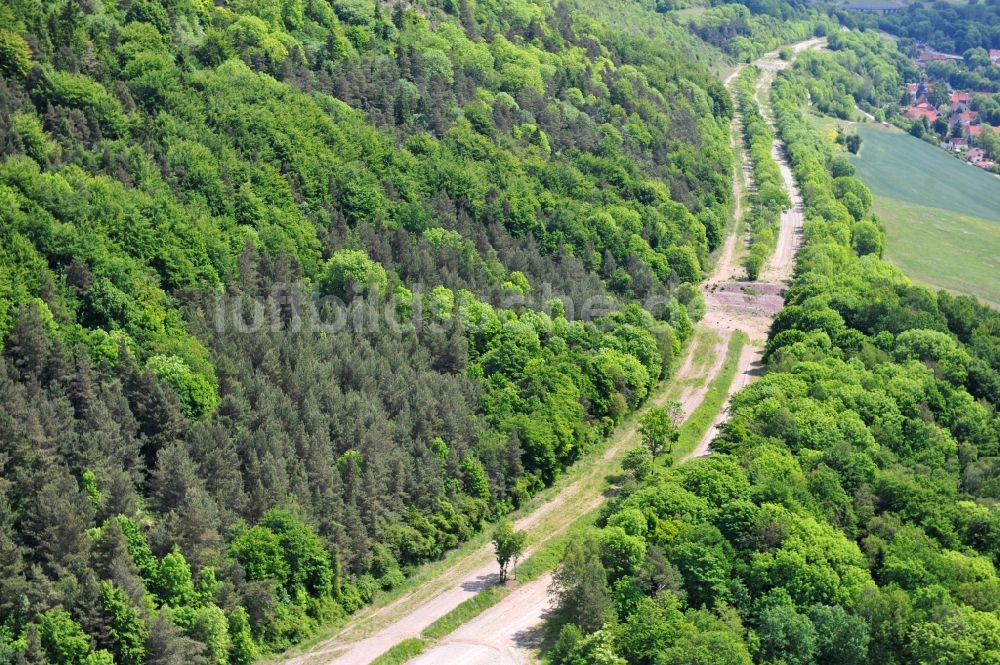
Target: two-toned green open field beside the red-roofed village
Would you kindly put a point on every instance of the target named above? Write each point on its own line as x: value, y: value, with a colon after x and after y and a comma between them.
x: 942, y: 216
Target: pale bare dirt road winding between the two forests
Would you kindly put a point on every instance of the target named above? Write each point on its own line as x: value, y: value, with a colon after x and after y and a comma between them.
x: 503, y: 633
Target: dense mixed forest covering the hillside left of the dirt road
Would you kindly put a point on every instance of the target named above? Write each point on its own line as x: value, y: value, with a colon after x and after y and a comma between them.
x: 184, y: 483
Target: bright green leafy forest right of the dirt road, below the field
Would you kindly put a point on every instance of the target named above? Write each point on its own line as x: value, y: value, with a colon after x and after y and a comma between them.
x: 849, y: 512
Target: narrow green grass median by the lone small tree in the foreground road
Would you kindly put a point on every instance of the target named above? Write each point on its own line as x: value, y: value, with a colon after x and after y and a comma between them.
x: 545, y: 559
